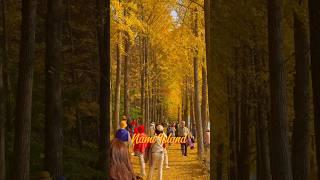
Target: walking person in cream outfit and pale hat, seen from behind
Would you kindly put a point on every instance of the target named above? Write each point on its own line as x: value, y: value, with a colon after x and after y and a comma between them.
x: 157, y: 154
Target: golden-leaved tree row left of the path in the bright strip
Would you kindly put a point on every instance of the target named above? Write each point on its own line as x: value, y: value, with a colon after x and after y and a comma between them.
x: 140, y: 58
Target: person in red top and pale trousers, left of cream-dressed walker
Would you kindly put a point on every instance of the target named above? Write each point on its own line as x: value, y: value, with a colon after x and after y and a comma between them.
x: 139, y: 149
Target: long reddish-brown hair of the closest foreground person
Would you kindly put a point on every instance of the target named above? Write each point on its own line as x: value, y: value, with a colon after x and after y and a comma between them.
x: 120, y: 165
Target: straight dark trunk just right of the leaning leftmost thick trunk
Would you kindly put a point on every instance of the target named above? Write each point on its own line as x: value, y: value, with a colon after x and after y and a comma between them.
x: 54, y: 107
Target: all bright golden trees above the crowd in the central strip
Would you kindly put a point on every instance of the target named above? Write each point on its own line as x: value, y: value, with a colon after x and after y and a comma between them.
x: 155, y: 46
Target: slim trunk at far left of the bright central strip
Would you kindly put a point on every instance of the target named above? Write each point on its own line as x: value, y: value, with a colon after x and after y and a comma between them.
x: 117, y: 89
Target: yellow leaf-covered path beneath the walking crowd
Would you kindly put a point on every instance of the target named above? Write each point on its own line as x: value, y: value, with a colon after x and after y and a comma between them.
x: 181, y: 168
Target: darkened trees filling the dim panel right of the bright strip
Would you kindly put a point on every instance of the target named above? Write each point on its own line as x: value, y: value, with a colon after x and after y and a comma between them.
x: 268, y: 88
